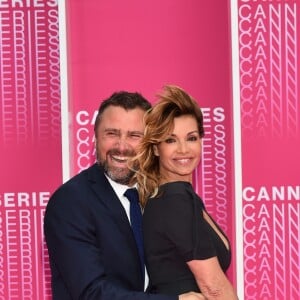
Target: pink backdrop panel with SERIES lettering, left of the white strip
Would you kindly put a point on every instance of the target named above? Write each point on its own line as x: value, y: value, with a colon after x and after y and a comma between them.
x: 30, y: 143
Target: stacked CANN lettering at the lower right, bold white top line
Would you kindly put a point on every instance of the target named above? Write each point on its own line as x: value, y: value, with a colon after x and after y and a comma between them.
x: 271, y: 241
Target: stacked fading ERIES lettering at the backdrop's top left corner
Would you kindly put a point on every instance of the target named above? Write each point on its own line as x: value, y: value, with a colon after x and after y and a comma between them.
x: 30, y: 78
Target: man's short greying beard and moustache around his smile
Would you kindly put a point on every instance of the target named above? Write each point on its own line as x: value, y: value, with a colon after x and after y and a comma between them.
x: 117, y: 174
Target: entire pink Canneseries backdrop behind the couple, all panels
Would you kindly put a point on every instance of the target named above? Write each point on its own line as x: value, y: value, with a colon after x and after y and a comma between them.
x: 140, y: 46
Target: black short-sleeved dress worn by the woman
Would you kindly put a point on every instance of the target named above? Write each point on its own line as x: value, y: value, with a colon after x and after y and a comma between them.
x: 176, y: 232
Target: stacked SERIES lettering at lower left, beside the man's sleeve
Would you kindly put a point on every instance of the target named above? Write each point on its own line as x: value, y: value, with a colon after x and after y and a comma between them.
x: 21, y: 249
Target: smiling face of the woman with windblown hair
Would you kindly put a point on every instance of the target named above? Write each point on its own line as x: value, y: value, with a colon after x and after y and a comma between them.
x: 180, y: 153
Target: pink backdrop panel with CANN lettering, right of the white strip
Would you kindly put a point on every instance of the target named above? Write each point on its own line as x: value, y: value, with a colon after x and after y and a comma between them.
x: 269, y: 83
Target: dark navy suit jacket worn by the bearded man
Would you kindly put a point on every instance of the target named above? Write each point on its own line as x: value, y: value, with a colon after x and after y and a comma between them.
x: 91, y: 246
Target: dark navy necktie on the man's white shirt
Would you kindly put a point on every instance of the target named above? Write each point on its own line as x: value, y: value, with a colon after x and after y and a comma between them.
x: 136, y: 223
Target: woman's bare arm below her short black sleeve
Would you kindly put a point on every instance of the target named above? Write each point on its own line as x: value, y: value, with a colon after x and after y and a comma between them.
x: 212, y: 281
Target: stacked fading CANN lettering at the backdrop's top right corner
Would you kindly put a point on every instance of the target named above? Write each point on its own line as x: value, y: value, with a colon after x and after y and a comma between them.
x: 268, y: 65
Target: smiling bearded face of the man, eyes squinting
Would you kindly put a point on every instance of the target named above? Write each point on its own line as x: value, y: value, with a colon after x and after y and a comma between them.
x: 118, y: 135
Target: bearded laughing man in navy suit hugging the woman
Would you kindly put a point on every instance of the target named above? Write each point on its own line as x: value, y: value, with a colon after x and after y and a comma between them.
x: 92, y: 250
